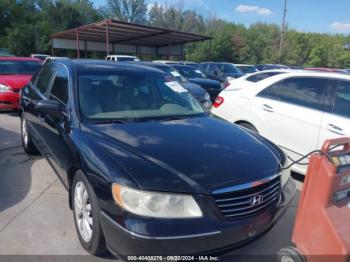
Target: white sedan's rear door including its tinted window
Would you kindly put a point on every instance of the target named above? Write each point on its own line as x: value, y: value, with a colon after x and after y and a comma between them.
x: 292, y: 111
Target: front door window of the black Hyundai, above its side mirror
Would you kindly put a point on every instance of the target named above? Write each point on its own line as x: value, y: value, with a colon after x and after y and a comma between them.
x: 59, y: 89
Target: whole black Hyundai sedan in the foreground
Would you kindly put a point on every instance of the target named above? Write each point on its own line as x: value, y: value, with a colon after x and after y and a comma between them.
x: 147, y: 169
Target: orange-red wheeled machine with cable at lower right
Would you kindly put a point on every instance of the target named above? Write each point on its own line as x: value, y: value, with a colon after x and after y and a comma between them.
x: 322, y: 230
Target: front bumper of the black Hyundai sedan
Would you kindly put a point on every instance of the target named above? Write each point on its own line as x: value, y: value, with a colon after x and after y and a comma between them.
x: 194, y: 237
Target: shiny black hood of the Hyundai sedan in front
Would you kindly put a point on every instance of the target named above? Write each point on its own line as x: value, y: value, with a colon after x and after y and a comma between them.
x: 193, y: 155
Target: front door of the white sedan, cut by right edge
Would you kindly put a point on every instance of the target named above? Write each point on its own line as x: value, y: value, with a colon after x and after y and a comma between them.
x: 336, y: 122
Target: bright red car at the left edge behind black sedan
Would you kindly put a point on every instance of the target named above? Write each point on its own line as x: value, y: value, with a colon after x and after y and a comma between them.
x: 15, y: 73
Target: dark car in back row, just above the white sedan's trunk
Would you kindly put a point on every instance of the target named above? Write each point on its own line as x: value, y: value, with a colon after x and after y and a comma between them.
x: 222, y: 72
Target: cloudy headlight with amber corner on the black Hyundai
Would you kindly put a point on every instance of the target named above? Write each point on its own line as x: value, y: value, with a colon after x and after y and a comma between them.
x: 151, y: 204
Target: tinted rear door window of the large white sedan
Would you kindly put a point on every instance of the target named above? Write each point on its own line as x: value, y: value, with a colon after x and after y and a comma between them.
x: 303, y: 91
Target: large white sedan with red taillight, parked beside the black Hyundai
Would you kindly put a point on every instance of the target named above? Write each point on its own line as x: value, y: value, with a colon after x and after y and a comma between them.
x: 295, y: 110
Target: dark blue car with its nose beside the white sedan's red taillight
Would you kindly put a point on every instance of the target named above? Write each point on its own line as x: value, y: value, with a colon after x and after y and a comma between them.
x: 196, y: 76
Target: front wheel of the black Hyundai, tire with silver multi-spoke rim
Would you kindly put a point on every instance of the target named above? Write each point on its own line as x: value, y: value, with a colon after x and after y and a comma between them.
x: 86, y: 211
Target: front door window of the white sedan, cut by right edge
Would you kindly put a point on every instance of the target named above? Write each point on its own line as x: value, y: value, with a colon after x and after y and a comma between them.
x: 342, y: 99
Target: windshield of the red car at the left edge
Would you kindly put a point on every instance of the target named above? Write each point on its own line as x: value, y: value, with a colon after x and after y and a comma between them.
x: 13, y: 67
